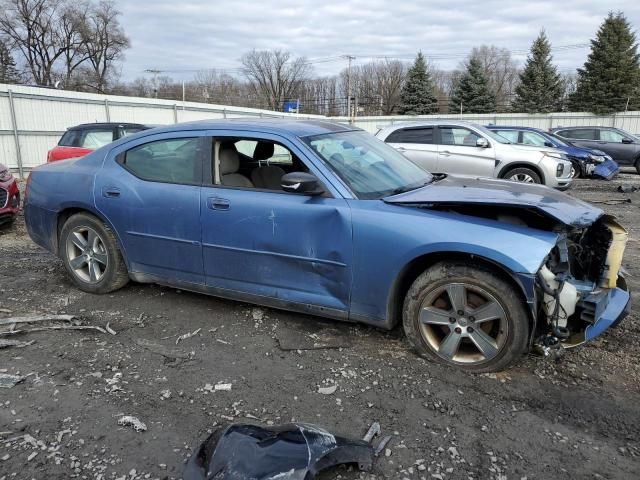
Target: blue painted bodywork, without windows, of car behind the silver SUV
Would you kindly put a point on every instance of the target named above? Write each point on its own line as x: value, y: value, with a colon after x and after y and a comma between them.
x: 592, y: 162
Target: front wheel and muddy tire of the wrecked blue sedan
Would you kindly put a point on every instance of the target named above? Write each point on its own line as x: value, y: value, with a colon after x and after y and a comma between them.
x: 433, y: 333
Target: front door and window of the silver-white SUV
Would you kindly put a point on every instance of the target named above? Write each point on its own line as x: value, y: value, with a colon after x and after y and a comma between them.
x: 458, y: 153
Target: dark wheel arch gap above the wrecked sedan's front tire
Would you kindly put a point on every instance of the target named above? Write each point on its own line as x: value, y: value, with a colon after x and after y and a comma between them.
x: 415, y: 267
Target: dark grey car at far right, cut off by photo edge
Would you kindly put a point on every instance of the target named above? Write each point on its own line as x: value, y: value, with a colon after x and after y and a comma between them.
x: 623, y: 147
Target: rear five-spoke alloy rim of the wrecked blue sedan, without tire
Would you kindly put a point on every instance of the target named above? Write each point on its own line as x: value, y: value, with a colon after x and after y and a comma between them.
x: 87, y: 254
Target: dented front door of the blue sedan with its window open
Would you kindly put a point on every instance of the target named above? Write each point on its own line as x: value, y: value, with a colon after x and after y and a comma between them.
x: 258, y: 240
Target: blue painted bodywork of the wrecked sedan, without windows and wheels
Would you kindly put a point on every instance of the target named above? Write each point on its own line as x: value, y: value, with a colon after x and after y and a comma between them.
x: 333, y: 255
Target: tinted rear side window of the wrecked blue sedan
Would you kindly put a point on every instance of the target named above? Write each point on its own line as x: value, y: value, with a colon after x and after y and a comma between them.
x: 176, y: 160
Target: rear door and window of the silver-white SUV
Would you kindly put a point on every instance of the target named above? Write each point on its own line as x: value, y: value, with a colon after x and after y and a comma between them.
x: 417, y: 144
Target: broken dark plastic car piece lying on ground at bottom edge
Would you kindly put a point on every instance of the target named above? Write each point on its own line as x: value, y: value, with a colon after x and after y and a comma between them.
x: 290, y: 452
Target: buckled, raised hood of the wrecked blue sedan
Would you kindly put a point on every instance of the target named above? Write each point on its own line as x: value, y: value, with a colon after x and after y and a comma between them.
x: 453, y: 190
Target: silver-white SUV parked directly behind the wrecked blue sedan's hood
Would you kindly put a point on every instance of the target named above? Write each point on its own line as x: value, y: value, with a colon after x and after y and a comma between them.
x: 463, y: 148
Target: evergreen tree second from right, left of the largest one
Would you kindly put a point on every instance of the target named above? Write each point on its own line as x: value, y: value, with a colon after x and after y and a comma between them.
x: 541, y: 88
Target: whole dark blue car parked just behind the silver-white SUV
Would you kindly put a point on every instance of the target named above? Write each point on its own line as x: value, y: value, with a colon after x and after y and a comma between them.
x: 584, y: 162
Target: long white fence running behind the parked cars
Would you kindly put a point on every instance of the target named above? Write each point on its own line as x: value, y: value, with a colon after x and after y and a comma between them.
x: 33, y: 119
